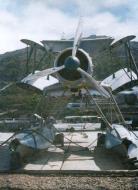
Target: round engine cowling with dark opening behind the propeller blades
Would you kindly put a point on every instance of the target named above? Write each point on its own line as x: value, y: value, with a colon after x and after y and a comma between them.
x: 70, y: 73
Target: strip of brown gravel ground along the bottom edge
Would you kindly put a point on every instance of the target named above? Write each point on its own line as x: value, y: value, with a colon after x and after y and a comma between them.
x: 26, y: 182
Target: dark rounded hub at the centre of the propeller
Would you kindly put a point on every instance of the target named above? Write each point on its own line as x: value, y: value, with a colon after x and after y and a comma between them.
x: 72, y: 63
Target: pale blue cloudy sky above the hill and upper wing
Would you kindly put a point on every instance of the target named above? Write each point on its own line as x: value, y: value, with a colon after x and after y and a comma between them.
x: 52, y: 19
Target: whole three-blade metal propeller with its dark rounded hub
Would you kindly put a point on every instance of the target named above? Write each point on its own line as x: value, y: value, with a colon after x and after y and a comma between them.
x: 72, y: 63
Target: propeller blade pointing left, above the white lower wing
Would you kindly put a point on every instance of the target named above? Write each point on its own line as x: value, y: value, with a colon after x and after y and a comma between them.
x: 43, y: 73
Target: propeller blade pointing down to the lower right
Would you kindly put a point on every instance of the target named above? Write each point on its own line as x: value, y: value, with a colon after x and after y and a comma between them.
x: 94, y: 83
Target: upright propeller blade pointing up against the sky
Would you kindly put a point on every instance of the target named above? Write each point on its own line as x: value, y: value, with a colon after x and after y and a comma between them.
x: 77, y: 38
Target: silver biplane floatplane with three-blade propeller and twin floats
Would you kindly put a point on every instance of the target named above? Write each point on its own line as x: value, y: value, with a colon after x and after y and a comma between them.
x: 73, y: 72
